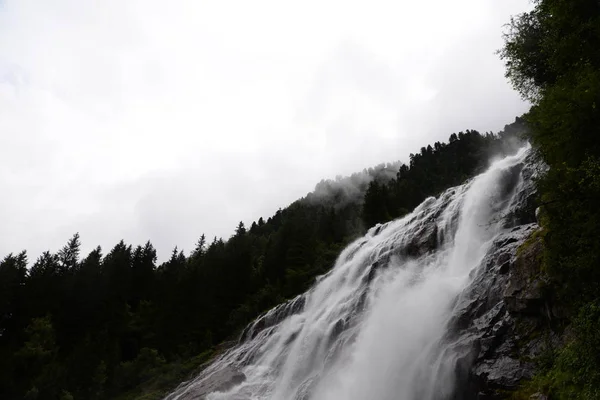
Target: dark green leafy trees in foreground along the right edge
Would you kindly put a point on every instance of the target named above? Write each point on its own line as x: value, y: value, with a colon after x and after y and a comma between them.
x: 552, y: 56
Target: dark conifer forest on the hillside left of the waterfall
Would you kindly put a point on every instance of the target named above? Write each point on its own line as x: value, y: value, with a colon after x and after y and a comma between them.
x: 116, y: 324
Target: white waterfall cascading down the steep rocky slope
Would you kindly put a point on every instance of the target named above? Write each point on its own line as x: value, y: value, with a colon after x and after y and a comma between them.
x: 375, y: 326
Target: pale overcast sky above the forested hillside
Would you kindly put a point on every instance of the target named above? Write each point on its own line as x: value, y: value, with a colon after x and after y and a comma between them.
x: 163, y: 120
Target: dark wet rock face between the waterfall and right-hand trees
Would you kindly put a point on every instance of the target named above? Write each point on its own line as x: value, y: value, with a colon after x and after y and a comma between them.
x: 502, y: 320
